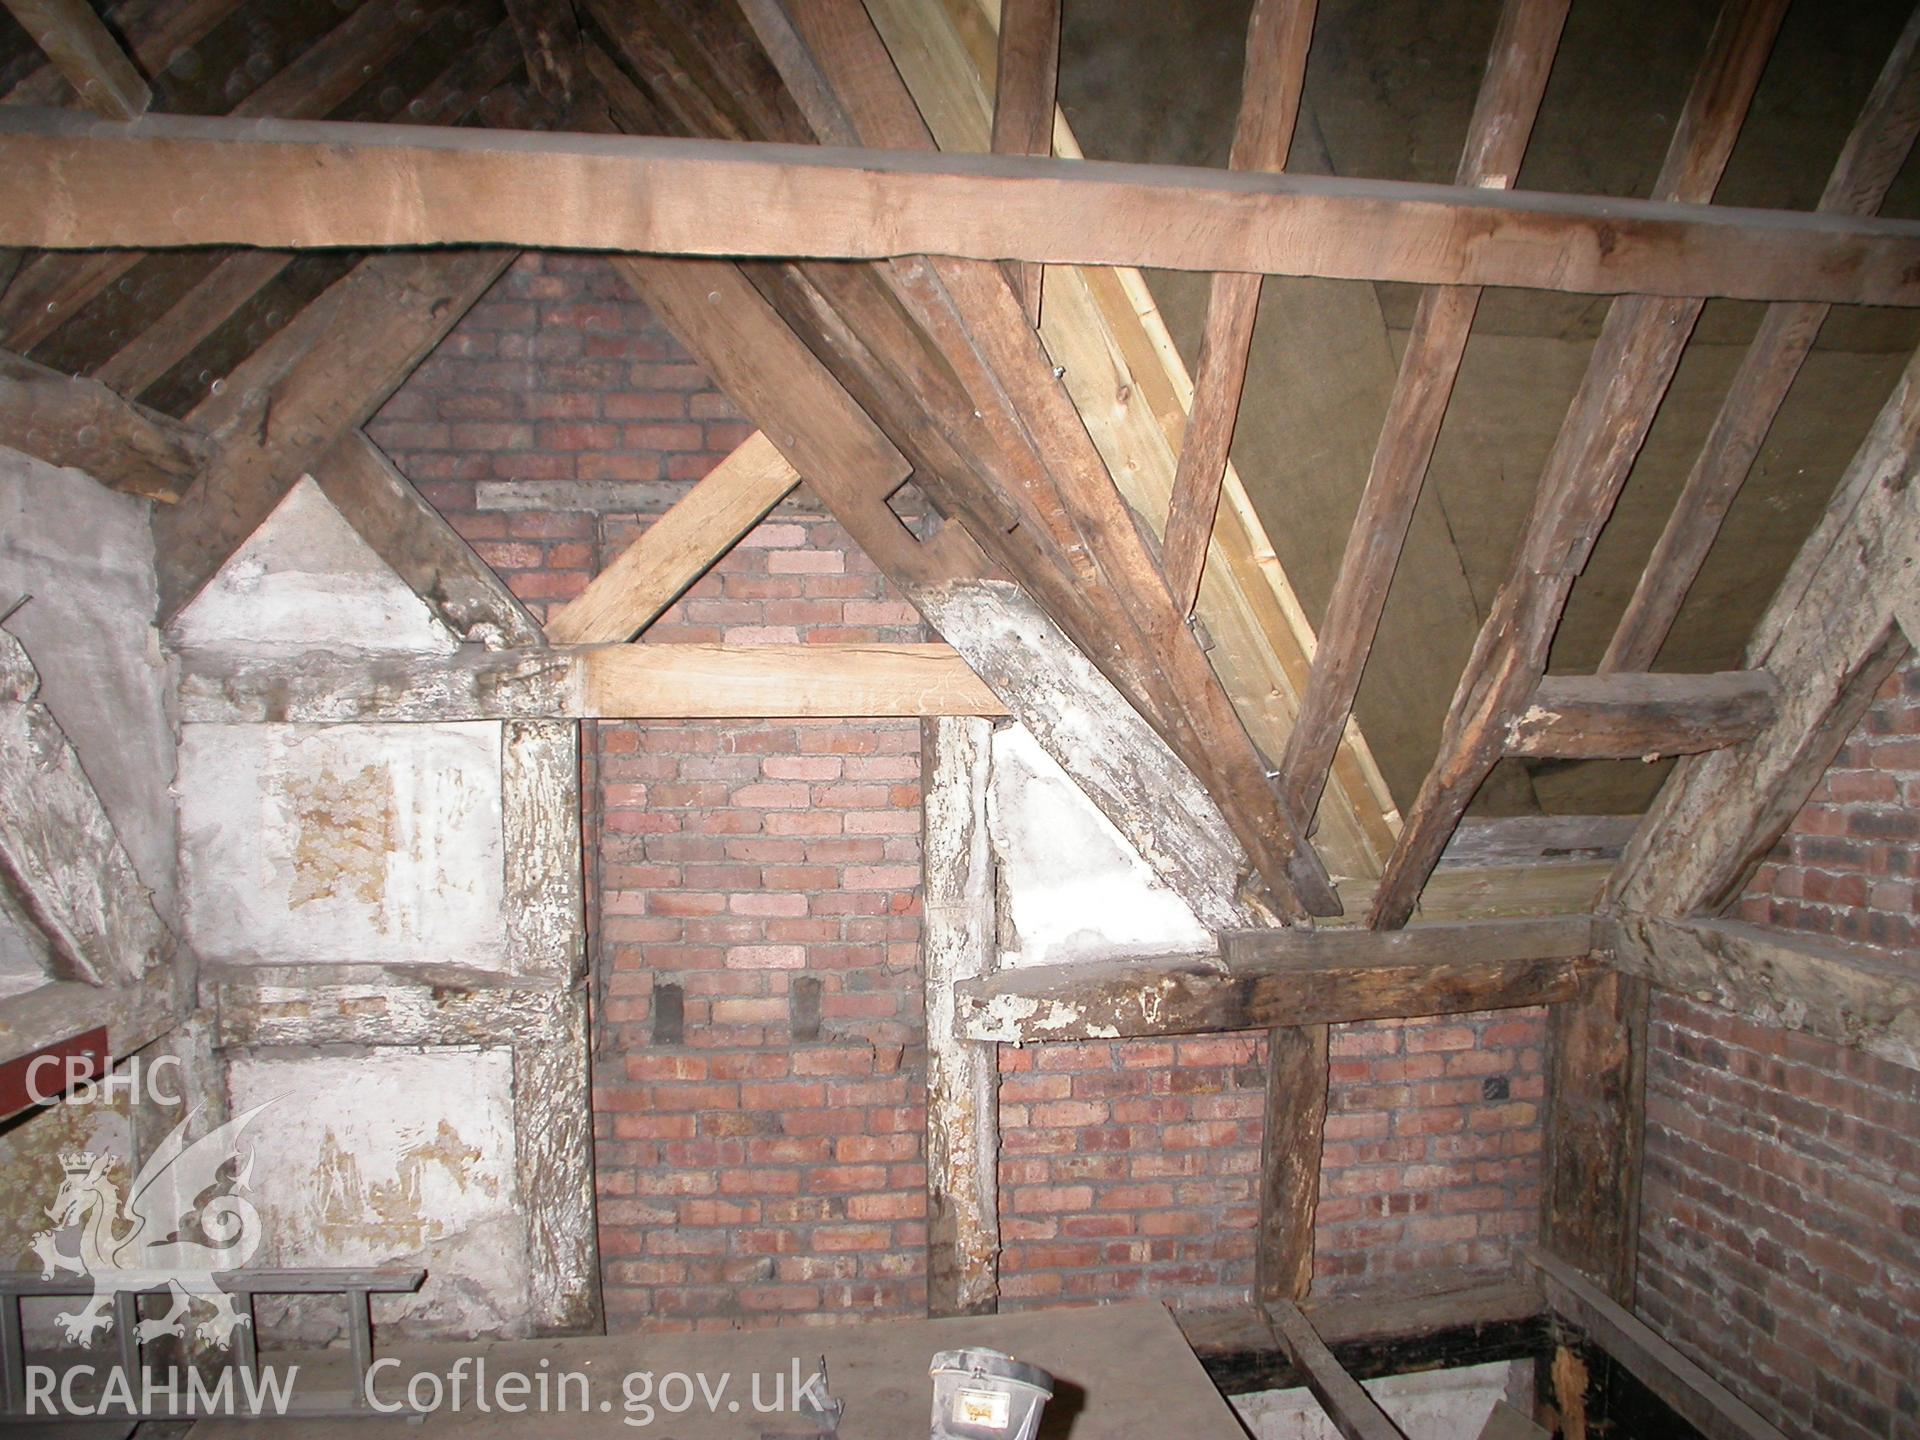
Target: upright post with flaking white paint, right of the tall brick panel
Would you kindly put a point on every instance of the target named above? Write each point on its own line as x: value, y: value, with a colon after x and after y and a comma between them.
x: 963, y: 1082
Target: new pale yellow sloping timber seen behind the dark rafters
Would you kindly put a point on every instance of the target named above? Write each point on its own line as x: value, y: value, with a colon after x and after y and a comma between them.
x: 1134, y: 393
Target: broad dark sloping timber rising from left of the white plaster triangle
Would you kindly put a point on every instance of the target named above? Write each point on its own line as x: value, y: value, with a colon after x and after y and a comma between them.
x: 327, y: 372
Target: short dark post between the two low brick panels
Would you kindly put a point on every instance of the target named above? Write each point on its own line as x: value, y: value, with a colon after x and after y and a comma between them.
x: 1289, y: 1163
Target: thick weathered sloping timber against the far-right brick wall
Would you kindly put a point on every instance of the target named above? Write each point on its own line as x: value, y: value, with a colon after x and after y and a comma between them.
x: 1831, y: 638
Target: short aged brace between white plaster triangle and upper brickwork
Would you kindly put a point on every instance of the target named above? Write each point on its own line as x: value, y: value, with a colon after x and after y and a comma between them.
x: 412, y: 537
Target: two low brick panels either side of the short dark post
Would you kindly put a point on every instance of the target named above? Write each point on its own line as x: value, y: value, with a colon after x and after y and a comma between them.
x: 1130, y: 1170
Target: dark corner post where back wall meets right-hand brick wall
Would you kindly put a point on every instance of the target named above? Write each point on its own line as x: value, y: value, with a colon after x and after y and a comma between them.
x: 1596, y: 1115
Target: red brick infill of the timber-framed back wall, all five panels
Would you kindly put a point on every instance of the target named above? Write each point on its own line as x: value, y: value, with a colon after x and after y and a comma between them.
x: 759, y: 1036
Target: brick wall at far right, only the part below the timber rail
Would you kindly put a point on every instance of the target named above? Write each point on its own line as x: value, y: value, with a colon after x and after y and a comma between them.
x: 1781, y: 1226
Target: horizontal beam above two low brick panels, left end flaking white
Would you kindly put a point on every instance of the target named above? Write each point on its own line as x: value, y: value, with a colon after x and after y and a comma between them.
x: 1284, y: 978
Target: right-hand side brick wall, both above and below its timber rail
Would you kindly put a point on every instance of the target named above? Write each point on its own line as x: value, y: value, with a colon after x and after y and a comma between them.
x: 1781, y: 1226
